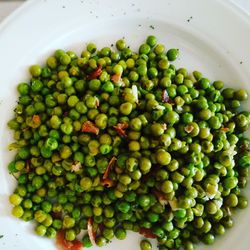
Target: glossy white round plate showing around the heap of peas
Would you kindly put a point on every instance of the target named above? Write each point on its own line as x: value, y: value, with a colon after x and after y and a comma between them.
x: 213, y: 37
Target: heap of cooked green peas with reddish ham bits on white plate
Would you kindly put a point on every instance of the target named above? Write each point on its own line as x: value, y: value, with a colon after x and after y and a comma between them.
x: 175, y: 140
